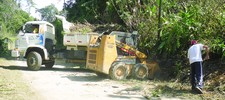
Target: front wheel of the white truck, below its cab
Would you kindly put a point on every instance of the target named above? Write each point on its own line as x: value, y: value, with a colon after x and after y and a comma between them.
x: 34, y: 61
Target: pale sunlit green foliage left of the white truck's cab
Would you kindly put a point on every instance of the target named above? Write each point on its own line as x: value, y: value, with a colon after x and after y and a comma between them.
x: 11, y: 20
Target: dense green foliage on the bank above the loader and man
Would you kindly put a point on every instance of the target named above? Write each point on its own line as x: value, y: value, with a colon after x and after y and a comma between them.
x: 182, y: 21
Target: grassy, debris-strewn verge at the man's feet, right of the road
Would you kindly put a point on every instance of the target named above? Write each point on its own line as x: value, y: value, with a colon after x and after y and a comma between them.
x: 159, y: 90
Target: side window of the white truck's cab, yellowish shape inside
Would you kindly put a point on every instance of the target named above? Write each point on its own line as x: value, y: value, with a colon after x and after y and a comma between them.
x: 31, y: 28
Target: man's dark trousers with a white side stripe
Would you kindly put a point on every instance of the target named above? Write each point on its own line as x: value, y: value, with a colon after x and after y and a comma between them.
x: 196, y: 75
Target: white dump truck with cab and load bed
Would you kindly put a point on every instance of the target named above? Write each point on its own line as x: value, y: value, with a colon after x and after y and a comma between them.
x: 36, y: 42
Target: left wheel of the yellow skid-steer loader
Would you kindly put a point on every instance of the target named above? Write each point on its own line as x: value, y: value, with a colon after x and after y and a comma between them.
x: 118, y: 71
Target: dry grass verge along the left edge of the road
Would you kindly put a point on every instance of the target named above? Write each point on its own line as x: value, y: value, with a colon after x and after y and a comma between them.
x: 12, y: 86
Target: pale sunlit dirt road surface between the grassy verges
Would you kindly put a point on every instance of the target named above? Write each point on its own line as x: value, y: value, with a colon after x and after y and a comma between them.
x: 69, y: 83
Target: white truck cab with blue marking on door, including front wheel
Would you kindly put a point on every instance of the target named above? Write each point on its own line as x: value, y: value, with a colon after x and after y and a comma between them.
x: 35, y: 42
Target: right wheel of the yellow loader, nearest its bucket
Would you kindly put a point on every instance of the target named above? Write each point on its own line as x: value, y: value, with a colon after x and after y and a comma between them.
x: 139, y: 71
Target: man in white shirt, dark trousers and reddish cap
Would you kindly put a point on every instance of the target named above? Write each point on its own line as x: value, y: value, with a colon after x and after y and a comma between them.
x: 195, y: 59
